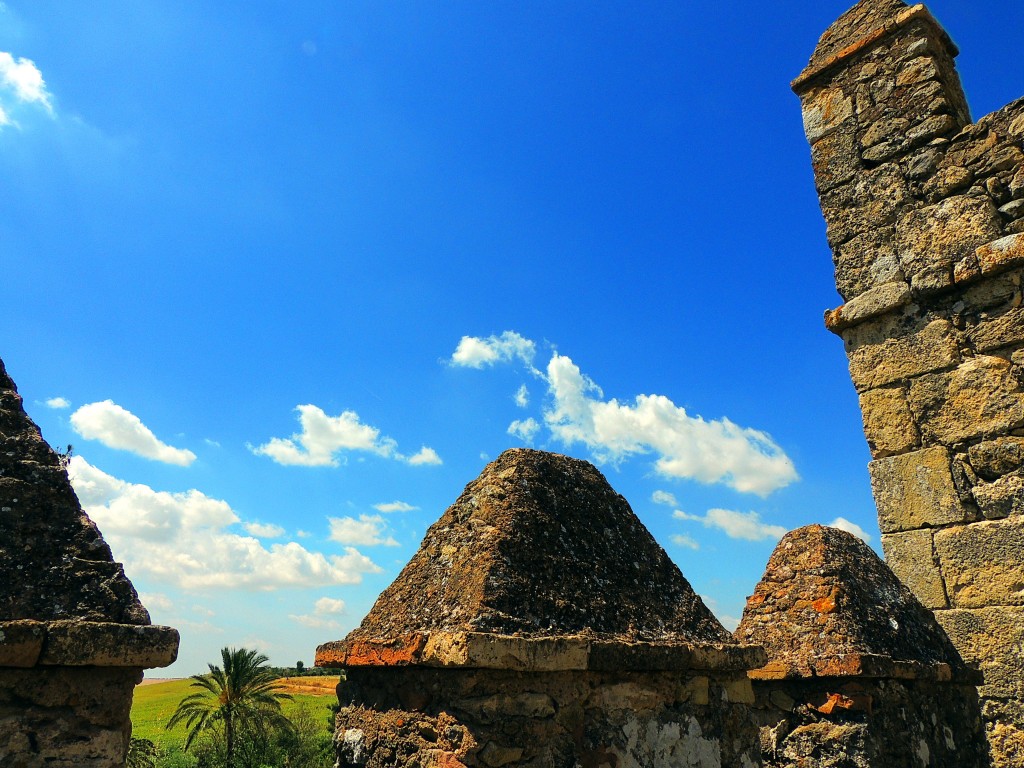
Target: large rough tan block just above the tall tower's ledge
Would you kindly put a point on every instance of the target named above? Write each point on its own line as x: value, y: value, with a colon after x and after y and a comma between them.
x: 933, y: 239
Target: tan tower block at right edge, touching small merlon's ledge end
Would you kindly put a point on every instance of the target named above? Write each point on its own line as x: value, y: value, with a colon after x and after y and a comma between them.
x: 993, y: 638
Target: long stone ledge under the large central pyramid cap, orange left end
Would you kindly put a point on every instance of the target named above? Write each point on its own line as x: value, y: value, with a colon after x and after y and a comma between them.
x: 566, y: 654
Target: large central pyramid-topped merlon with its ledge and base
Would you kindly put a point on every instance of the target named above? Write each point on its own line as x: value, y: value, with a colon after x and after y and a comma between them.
x: 540, y: 624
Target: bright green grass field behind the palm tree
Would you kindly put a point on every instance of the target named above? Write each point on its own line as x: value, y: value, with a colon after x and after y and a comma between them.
x: 154, y: 705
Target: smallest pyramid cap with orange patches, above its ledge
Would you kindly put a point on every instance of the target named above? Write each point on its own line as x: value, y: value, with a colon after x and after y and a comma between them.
x: 829, y: 606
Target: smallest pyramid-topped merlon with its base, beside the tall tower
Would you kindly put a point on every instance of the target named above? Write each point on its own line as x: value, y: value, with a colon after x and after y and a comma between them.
x: 860, y: 672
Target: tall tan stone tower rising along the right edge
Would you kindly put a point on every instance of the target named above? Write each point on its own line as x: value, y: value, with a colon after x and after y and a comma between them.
x: 925, y: 217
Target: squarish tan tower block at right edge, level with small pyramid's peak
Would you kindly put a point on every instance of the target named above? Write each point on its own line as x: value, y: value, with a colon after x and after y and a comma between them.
x: 983, y: 563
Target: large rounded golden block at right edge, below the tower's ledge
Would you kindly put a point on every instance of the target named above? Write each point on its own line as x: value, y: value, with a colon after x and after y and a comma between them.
x: 980, y: 399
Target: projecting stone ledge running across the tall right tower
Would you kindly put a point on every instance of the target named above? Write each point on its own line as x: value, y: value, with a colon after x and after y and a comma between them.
x: 987, y: 262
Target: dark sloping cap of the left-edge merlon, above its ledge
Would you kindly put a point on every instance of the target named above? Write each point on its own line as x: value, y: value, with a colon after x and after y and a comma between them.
x: 54, y: 564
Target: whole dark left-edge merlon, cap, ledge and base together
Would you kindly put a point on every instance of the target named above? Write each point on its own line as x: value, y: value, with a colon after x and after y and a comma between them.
x: 74, y: 637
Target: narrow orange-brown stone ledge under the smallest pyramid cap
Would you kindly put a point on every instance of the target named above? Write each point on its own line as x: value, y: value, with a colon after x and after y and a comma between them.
x: 866, y: 666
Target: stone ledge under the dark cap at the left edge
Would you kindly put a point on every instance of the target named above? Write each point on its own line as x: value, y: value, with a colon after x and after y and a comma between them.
x: 29, y: 644
